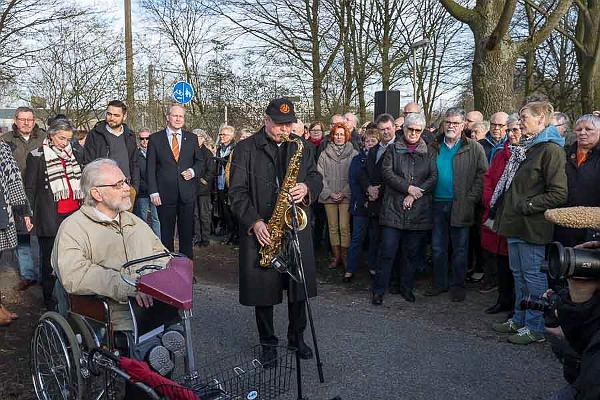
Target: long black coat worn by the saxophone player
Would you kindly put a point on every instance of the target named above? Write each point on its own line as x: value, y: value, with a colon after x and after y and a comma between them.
x: 253, y: 194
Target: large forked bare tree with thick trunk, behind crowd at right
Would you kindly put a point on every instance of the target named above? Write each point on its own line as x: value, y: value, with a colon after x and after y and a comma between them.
x: 496, y: 50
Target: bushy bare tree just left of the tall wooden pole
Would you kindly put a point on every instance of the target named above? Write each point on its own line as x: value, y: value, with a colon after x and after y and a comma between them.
x: 80, y: 70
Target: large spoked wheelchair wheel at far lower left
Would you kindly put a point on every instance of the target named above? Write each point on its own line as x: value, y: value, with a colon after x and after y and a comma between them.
x: 55, y: 358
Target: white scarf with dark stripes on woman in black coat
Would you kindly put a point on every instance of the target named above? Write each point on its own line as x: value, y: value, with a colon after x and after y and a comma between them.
x: 57, y: 175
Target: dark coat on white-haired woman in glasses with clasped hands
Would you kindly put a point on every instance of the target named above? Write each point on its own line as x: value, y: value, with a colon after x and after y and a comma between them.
x: 401, y: 169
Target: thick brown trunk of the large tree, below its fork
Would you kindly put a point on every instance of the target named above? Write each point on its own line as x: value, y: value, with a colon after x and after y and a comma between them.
x: 493, y: 79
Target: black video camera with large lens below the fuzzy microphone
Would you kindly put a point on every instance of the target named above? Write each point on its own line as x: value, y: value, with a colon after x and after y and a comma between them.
x: 568, y: 262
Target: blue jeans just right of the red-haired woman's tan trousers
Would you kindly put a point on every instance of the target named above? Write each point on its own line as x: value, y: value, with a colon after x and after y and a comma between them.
x: 360, y: 227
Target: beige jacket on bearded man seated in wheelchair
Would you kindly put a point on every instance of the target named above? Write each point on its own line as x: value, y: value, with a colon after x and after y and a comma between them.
x: 88, y: 254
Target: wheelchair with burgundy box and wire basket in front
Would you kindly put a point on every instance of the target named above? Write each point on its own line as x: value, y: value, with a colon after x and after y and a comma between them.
x: 77, y: 354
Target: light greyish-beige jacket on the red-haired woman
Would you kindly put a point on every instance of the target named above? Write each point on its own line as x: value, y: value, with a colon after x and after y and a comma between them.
x: 335, y: 170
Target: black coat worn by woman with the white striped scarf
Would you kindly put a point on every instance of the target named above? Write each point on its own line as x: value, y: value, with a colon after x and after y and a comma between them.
x: 45, y: 215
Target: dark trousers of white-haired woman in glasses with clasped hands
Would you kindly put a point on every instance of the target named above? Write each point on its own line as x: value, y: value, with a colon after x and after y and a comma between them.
x: 410, y: 241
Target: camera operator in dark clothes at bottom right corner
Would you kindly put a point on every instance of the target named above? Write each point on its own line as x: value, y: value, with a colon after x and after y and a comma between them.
x: 578, y: 312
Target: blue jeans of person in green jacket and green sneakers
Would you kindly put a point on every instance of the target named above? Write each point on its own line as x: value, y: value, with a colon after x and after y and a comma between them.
x: 525, y: 260
